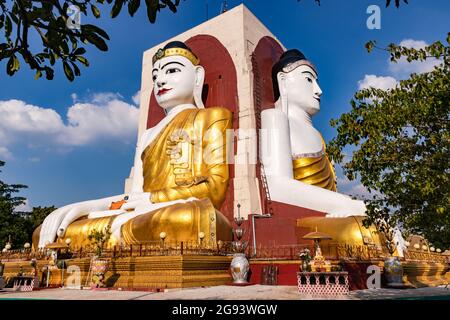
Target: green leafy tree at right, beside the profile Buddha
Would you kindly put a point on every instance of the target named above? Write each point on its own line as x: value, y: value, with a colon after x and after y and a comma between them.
x: 401, y: 146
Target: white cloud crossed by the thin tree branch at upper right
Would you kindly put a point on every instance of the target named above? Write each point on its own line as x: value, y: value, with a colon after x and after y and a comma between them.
x: 403, y: 68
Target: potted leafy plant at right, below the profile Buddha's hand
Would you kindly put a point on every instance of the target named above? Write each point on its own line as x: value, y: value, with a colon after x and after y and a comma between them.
x: 385, y: 224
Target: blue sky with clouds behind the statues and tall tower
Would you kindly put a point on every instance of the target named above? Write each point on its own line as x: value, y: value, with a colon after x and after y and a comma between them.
x: 70, y: 158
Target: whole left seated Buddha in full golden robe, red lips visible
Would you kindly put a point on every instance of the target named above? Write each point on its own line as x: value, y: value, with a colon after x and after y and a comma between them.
x: 181, y: 175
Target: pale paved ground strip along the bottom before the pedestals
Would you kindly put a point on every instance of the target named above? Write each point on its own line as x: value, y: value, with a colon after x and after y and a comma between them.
x: 256, y: 292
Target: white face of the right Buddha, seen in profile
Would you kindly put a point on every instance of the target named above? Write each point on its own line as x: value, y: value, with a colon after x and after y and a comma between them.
x: 301, y: 89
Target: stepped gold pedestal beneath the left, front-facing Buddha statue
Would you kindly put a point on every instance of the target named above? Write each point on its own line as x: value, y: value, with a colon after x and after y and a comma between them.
x: 153, y: 272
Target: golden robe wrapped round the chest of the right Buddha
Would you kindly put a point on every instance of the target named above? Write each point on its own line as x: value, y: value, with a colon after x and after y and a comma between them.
x: 315, y: 169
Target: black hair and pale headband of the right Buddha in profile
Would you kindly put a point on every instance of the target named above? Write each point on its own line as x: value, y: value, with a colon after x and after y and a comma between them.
x: 289, y: 61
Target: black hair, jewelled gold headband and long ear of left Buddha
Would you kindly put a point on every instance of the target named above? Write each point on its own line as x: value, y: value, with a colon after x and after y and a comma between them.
x: 178, y: 48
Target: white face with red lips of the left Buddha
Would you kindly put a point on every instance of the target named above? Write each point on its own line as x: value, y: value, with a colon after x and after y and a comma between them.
x: 174, y: 81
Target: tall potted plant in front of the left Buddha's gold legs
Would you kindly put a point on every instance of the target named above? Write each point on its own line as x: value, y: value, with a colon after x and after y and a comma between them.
x: 99, y: 266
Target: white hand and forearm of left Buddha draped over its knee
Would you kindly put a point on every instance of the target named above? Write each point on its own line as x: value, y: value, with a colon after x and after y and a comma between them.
x: 56, y: 223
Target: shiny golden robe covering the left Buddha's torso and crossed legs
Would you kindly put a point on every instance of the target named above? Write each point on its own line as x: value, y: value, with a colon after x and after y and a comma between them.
x: 186, y: 159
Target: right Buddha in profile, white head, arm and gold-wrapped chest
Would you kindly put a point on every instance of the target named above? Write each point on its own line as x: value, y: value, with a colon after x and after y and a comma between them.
x: 293, y: 152
